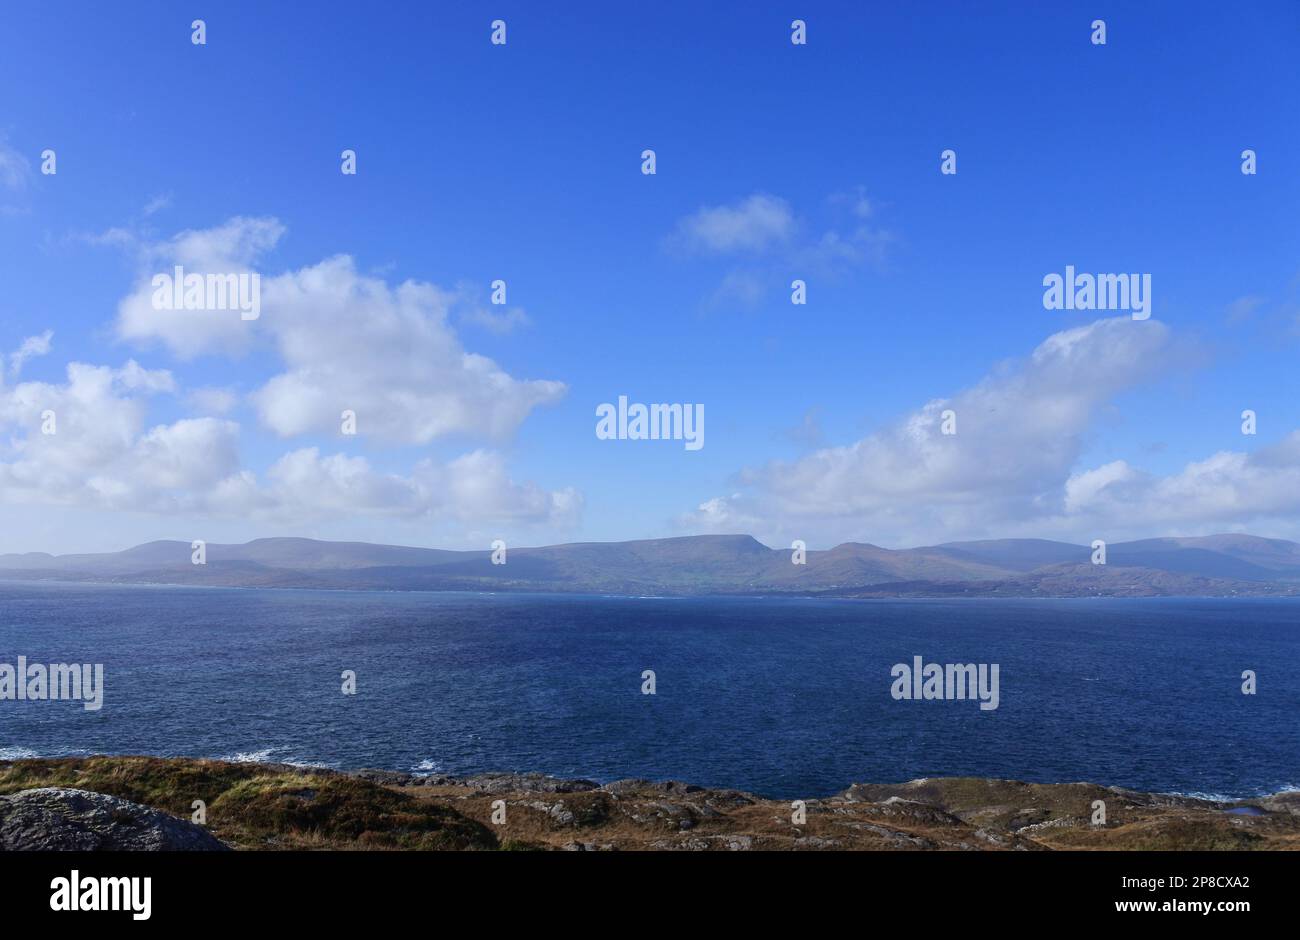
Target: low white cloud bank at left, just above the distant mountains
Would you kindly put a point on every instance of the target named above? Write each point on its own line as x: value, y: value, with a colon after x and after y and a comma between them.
x: 103, y: 456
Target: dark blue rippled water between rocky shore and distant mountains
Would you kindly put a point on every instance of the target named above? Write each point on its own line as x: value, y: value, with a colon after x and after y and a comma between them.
x: 786, y: 698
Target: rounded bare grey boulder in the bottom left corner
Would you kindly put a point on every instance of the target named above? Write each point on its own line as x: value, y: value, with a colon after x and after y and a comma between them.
x: 63, y: 820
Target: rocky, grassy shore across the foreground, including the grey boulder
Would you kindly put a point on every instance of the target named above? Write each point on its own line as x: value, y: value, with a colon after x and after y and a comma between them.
x: 148, y: 804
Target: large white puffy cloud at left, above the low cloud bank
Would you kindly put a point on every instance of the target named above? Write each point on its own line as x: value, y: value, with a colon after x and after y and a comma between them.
x: 346, y: 341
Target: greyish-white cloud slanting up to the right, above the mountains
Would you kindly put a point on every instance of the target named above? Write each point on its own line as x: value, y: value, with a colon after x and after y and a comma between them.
x: 1012, y: 462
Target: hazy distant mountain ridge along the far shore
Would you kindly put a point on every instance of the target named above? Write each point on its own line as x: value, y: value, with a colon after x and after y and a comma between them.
x: 1227, y: 565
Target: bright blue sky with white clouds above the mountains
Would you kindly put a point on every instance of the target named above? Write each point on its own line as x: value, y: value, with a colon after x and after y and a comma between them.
x: 522, y: 162
